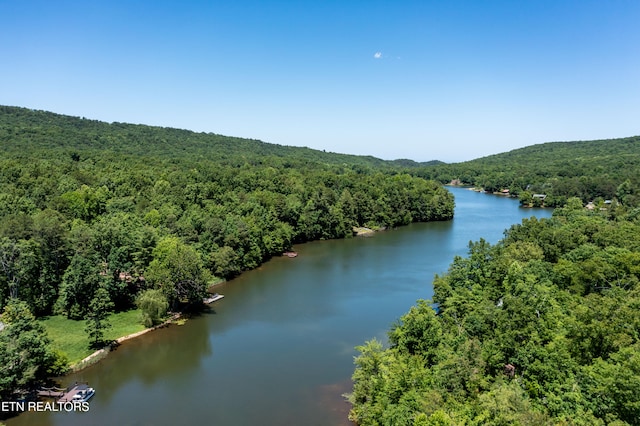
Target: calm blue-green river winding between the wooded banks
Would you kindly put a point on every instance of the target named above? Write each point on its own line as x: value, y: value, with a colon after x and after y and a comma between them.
x: 278, y: 350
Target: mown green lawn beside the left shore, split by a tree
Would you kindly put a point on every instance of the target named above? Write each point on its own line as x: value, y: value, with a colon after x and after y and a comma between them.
x: 69, y: 335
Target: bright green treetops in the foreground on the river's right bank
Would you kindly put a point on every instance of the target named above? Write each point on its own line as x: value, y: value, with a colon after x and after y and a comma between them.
x: 542, y: 328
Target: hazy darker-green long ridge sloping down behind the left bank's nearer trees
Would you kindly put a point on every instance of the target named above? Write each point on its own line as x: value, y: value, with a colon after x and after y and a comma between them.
x: 56, y: 131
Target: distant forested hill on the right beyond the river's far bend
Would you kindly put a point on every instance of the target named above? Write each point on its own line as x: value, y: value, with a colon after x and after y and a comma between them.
x: 591, y: 170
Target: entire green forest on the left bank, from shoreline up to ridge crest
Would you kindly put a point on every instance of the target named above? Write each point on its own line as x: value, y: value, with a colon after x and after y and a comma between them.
x: 98, y: 217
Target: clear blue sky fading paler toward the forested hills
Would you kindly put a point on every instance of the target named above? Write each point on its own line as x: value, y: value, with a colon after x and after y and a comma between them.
x: 448, y: 80
